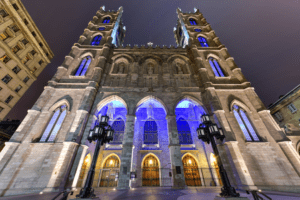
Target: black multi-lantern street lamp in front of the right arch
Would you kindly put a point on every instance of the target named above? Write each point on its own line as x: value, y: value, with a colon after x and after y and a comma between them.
x: 206, y: 132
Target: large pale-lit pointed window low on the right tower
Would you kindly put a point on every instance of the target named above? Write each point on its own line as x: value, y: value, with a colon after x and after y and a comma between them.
x: 245, y: 124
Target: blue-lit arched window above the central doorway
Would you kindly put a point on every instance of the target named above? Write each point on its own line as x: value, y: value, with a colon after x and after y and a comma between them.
x: 150, y: 132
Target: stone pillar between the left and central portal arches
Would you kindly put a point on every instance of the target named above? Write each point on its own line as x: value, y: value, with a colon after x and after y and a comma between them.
x: 124, y: 175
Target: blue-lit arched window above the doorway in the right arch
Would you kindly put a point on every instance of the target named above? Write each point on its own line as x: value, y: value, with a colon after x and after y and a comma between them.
x: 184, y: 132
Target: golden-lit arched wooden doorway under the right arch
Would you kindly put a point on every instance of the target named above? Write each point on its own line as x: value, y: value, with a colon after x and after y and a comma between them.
x: 191, y: 171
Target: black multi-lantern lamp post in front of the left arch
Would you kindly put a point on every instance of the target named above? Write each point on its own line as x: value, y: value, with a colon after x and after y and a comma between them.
x: 101, y: 133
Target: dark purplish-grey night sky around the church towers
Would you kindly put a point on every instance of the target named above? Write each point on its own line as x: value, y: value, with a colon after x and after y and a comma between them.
x: 261, y: 35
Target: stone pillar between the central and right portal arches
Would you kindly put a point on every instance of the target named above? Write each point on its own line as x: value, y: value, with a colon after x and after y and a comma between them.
x: 175, y: 154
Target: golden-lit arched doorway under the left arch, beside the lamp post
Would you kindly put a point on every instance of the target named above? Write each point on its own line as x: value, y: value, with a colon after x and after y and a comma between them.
x: 110, y: 172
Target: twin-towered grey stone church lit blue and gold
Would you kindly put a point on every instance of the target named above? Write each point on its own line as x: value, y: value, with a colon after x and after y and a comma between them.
x: 154, y: 97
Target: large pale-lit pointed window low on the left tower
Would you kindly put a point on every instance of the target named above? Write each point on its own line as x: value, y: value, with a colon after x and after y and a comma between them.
x: 54, y: 124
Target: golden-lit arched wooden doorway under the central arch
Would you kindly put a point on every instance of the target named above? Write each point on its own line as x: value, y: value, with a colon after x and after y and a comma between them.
x: 150, y: 171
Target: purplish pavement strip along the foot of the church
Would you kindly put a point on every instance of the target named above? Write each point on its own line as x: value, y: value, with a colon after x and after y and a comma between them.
x: 158, y: 193
